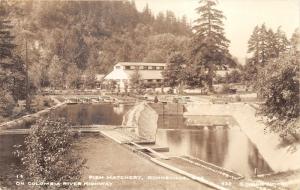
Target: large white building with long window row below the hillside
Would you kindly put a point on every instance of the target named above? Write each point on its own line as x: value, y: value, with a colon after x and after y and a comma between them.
x: 150, y: 72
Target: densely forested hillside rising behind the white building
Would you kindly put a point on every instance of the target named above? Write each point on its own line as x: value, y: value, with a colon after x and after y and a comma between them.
x: 68, y: 39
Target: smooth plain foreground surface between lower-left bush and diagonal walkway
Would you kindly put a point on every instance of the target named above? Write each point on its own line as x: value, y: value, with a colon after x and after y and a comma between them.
x: 107, y: 158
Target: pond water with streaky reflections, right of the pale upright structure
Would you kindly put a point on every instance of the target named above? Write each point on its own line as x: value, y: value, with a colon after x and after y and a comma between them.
x: 227, y: 147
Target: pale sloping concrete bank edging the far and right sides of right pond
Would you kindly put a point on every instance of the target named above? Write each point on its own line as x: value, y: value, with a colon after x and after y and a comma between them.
x: 268, y: 144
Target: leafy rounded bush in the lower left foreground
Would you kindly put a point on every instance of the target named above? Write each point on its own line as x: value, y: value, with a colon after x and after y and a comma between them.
x: 48, y: 154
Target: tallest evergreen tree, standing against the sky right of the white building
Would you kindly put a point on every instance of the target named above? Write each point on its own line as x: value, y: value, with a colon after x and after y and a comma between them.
x: 209, y: 47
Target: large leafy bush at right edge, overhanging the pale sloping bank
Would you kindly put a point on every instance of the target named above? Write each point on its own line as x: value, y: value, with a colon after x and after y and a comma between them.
x: 279, y: 86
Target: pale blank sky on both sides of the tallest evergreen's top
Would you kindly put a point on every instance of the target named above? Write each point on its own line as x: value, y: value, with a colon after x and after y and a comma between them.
x: 241, y: 17
